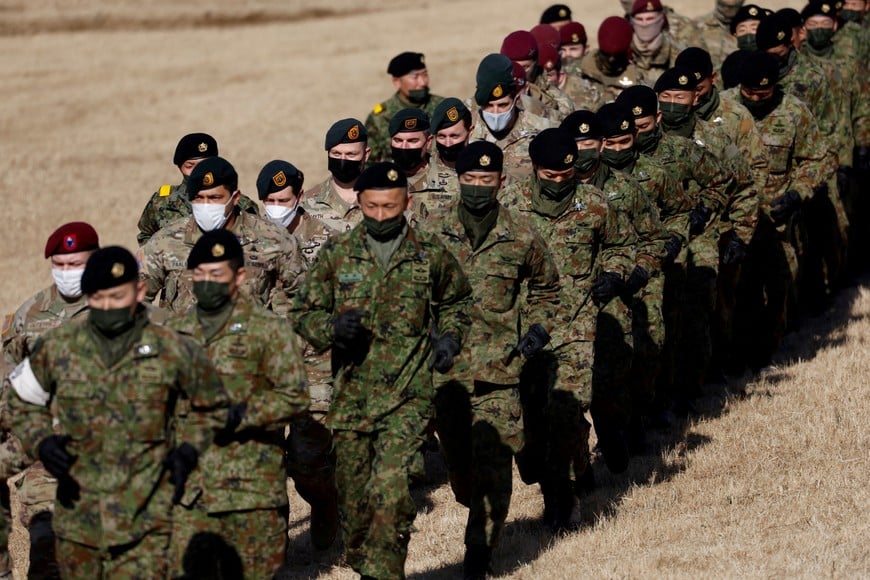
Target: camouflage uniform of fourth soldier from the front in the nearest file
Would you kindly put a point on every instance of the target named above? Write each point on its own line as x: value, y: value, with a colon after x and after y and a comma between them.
x: 477, y: 405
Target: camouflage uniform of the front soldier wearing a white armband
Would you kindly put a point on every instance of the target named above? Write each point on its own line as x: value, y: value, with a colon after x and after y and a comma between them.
x: 121, y: 523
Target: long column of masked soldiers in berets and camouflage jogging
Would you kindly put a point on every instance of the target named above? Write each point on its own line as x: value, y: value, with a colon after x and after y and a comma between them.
x: 595, y: 233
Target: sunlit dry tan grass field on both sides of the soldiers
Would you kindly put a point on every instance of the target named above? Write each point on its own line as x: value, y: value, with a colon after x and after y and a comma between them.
x: 770, y: 482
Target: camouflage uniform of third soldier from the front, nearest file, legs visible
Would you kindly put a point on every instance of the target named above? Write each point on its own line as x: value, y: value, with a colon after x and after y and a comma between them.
x: 383, y: 392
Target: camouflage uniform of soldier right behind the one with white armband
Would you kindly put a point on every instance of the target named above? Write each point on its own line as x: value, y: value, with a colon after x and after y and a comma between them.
x: 242, y: 482
